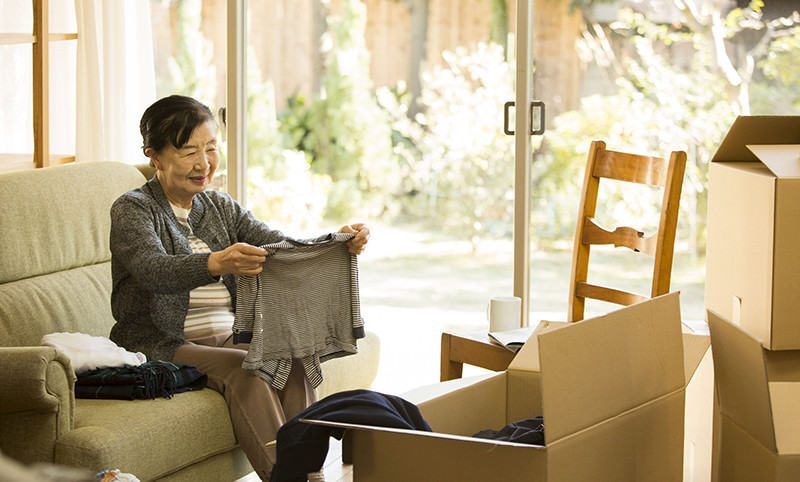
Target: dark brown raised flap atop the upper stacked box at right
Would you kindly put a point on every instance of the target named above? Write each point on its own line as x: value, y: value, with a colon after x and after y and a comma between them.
x: 757, y: 130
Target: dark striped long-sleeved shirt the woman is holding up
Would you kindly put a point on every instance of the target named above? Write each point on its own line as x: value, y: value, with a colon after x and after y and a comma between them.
x: 303, y: 305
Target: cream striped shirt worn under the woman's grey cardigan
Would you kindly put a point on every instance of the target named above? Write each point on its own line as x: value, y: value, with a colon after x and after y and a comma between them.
x: 210, y: 306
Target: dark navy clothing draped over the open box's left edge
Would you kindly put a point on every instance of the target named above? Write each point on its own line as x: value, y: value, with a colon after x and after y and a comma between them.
x: 301, y: 447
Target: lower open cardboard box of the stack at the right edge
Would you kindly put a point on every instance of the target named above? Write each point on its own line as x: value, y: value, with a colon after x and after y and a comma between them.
x: 759, y: 407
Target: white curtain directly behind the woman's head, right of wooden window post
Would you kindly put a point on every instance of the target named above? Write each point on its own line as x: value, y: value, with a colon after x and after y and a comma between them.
x: 115, y: 79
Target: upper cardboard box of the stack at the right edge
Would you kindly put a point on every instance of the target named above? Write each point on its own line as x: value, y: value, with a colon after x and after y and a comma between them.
x: 752, y: 265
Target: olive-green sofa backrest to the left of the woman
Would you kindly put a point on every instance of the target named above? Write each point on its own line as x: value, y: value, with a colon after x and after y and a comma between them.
x: 55, y: 271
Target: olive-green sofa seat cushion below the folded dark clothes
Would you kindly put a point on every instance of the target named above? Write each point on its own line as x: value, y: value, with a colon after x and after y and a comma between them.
x: 130, y: 435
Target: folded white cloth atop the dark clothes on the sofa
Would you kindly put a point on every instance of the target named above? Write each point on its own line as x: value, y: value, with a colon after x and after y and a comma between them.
x: 87, y: 352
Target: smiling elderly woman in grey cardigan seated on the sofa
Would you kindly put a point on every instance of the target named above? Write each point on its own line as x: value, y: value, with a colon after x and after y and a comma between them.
x: 176, y: 249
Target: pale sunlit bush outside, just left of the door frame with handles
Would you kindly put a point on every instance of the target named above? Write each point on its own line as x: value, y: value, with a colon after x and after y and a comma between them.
x: 460, y: 169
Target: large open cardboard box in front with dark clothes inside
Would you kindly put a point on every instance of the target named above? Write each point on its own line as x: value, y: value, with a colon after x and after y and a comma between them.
x: 610, y: 389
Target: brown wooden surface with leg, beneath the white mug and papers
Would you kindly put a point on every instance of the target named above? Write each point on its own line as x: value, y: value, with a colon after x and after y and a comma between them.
x: 474, y: 348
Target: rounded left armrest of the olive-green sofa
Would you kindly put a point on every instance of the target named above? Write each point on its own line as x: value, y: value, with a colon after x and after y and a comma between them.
x: 37, y: 401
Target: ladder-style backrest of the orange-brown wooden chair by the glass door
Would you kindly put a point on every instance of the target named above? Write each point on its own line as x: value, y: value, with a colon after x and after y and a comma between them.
x: 666, y: 174
